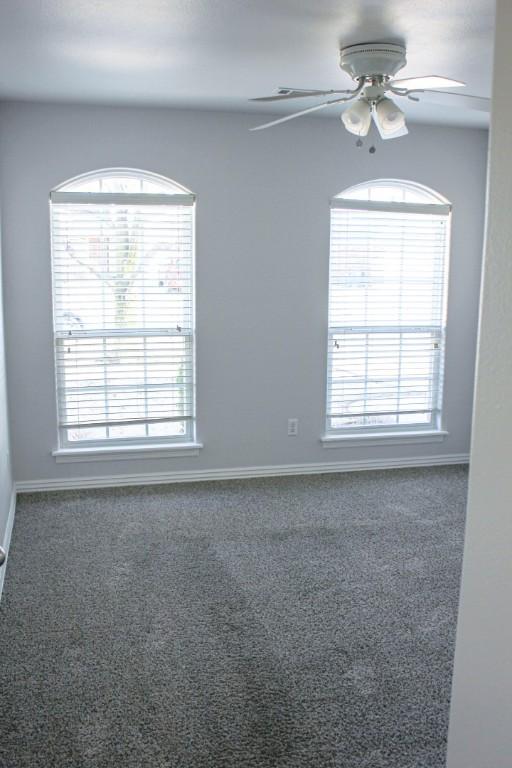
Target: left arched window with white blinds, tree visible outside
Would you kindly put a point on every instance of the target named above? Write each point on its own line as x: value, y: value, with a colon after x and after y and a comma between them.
x: 123, y: 298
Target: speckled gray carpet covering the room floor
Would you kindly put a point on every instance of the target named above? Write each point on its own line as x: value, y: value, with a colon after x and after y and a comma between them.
x: 303, y: 622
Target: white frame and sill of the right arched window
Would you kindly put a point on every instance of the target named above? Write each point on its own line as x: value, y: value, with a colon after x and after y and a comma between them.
x: 376, y: 434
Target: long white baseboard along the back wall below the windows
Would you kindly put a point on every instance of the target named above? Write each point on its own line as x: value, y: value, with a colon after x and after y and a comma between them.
x: 194, y: 475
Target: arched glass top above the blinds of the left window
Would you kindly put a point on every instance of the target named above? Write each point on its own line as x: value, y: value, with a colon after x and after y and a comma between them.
x: 123, y: 181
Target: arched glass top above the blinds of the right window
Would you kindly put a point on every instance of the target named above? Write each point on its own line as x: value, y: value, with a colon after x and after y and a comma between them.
x: 393, y: 191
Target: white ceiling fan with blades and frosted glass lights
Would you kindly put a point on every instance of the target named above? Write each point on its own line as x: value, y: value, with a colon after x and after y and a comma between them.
x: 373, y: 67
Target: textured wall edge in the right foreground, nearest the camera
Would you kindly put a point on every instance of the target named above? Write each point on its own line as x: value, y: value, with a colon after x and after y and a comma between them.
x: 480, y: 732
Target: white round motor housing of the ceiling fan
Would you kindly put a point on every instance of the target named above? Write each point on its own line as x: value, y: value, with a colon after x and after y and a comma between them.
x: 372, y: 59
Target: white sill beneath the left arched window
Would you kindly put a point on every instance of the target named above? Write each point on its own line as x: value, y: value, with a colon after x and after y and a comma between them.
x: 116, y: 453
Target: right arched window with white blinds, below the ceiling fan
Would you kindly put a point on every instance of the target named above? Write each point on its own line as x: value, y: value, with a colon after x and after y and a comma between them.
x: 387, y: 308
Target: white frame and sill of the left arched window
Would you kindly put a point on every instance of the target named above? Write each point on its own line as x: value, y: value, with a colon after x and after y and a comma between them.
x: 128, y: 447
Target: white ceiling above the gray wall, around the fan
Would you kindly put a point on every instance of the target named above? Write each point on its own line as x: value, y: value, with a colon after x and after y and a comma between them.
x: 218, y: 53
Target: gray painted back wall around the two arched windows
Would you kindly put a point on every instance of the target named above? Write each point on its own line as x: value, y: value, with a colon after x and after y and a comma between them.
x: 262, y: 261
